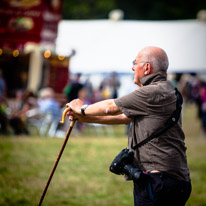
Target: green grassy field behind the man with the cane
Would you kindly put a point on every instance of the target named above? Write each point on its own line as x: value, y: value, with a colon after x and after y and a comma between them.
x: 82, y: 177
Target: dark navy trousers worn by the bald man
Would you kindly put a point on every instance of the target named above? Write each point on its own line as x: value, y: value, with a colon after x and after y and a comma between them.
x: 158, y: 189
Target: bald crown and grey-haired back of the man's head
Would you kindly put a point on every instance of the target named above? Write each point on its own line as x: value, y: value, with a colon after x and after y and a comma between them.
x: 156, y: 56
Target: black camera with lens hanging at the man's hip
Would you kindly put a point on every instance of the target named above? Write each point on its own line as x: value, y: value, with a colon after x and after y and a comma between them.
x: 122, y: 165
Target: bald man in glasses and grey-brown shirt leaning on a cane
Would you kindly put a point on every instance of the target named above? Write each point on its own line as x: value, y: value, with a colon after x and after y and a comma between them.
x: 162, y: 159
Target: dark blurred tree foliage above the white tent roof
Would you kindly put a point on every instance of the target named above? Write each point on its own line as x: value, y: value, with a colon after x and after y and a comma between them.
x: 133, y: 9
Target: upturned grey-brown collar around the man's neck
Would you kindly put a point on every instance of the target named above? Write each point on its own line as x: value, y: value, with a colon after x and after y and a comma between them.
x: 155, y: 77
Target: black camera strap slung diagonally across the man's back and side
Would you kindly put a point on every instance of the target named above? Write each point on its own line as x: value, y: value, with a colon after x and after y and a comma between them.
x: 169, y: 123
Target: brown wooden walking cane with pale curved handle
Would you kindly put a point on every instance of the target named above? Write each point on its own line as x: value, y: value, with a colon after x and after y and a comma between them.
x: 59, y: 155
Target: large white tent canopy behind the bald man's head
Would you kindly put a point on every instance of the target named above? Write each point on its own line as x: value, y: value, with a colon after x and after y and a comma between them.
x: 105, y: 45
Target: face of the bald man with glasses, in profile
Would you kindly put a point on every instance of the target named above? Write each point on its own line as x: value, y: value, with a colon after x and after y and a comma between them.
x: 138, y: 68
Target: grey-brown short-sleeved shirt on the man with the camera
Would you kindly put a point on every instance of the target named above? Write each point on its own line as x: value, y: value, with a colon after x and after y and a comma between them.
x: 149, y: 107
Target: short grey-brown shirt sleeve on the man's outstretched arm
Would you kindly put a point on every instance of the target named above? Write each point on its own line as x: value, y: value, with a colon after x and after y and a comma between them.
x: 133, y: 104
